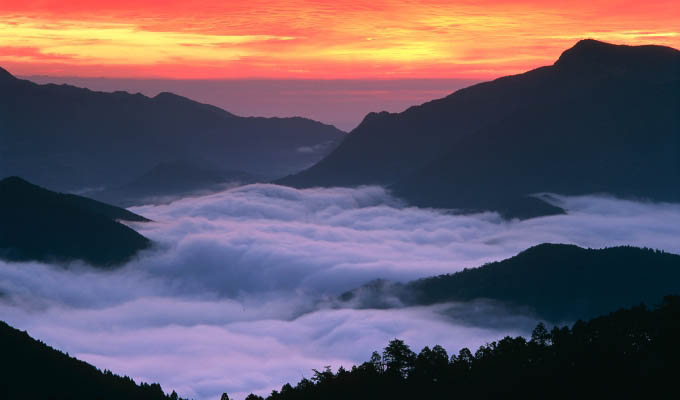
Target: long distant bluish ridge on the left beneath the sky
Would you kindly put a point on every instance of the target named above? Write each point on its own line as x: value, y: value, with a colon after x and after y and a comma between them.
x: 70, y: 138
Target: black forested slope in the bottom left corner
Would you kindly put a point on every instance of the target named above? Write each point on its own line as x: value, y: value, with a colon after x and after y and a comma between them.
x: 32, y: 370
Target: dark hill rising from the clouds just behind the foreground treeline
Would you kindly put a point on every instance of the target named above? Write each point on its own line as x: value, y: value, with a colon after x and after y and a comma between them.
x: 557, y: 282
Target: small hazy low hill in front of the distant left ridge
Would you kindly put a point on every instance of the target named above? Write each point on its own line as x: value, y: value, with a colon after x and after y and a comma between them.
x: 170, y: 180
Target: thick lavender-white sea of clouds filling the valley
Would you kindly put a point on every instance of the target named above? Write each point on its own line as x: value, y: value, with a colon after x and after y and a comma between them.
x: 237, y: 293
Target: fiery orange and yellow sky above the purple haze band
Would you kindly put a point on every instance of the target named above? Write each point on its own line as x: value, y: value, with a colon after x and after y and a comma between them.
x: 315, y: 39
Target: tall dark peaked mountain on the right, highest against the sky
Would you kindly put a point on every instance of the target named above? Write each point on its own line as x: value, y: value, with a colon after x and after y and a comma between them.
x: 603, y: 118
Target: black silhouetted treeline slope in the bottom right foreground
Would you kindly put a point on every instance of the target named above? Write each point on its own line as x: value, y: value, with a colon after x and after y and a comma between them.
x: 633, y: 353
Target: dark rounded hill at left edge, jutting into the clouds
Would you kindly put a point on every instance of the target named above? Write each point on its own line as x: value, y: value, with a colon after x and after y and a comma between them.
x: 37, y: 224
